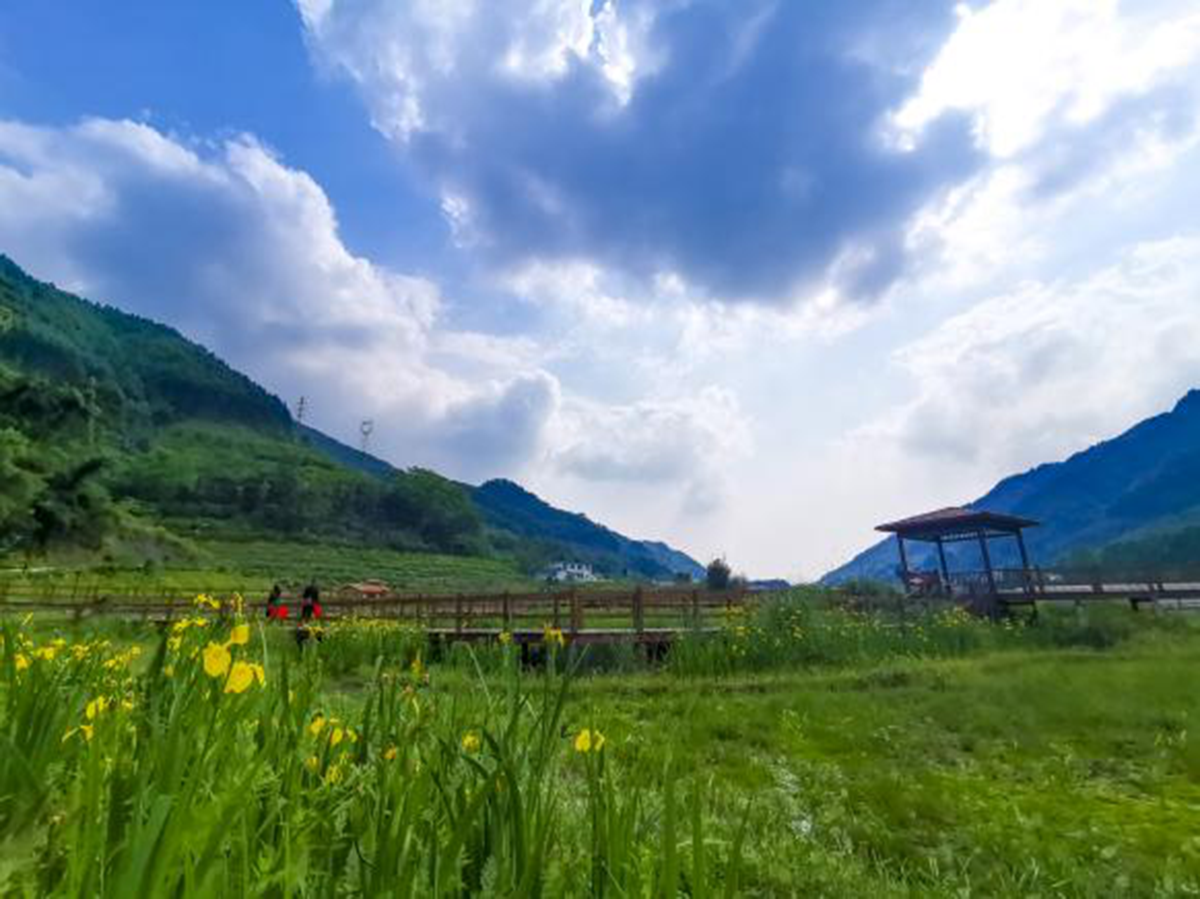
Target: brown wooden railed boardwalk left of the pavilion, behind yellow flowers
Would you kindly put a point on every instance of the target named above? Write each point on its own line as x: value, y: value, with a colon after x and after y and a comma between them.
x: 638, y: 615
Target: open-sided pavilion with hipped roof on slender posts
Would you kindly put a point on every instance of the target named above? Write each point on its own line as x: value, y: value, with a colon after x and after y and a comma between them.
x: 959, y: 525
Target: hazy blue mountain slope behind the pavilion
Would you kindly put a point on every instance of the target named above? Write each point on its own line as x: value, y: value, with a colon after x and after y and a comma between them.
x: 1145, y: 481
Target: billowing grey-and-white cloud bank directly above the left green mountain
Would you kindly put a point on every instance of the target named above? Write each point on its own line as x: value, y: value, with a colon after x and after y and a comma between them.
x: 243, y: 253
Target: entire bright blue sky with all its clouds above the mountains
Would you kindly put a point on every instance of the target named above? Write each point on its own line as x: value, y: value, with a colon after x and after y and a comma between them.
x: 749, y: 277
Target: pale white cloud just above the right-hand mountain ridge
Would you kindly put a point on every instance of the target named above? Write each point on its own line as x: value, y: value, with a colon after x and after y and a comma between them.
x: 1043, y: 371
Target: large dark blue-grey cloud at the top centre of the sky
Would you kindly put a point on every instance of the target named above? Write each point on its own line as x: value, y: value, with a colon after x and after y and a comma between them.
x: 737, y: 147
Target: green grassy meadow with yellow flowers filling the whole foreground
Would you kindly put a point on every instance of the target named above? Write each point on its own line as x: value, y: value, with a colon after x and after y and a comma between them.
x: 805, y: 751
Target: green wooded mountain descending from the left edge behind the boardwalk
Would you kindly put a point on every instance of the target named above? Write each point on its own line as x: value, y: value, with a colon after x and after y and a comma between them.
x: 118, y: 431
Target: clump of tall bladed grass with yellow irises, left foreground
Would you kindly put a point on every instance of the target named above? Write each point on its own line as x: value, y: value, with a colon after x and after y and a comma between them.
x: 219, y: 763
